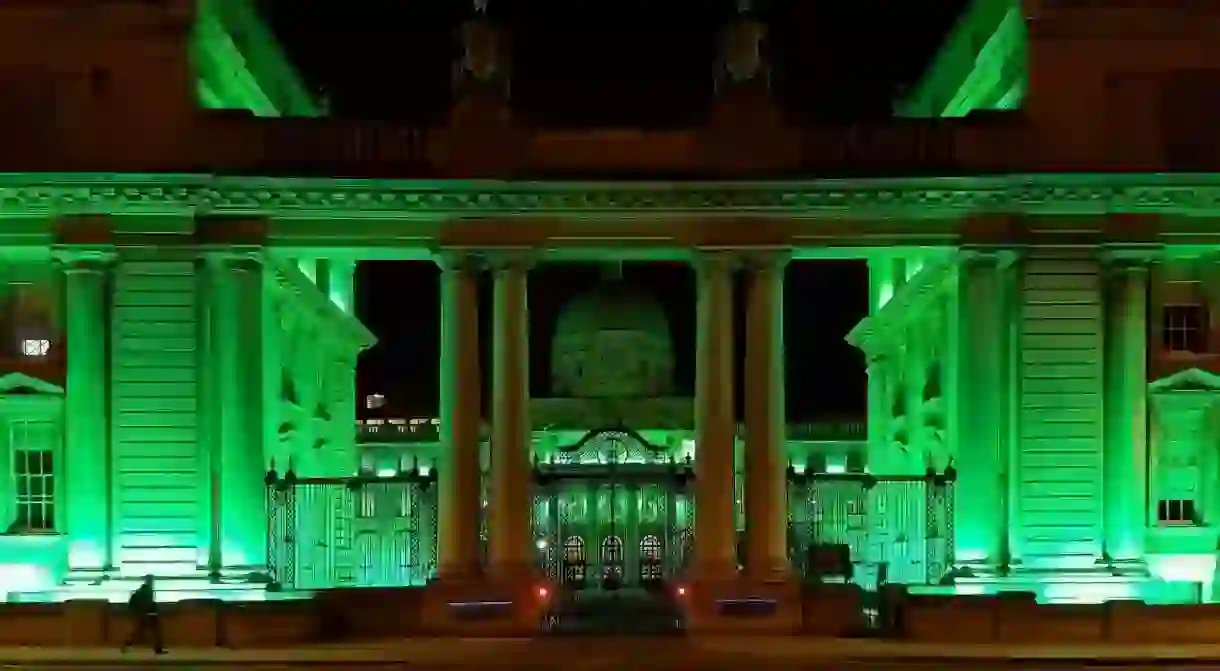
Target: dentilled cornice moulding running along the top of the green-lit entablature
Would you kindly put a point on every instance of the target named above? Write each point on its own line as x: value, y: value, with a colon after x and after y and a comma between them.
x: 60, y: 195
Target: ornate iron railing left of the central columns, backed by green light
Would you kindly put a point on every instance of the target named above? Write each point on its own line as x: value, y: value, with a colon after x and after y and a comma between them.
x: 351, y: 533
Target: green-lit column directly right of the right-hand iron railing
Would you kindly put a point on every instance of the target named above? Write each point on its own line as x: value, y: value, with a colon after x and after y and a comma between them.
x: 978, y: 346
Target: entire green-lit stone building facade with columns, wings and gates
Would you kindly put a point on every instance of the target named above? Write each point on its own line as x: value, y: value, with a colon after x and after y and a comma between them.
x: 181, y: 400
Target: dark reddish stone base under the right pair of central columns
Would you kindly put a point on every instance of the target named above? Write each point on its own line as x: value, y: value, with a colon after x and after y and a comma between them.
x: 742, y: 607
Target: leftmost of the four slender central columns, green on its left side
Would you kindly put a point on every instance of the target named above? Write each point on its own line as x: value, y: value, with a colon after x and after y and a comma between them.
x: 459, y: 503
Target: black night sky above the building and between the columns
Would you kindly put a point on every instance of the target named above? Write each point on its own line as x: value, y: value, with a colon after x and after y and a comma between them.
x: 613, y: 63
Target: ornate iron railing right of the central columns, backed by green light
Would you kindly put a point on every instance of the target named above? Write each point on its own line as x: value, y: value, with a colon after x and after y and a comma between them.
x: 896, y: 529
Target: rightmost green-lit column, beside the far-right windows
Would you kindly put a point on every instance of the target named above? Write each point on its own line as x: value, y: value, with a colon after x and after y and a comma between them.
x: 1127, y: 434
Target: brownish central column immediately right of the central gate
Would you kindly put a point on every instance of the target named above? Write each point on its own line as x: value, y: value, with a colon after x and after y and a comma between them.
x: 716, y: 426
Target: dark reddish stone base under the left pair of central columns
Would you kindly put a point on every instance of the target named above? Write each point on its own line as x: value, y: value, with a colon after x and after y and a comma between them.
x: 508, y: 603
